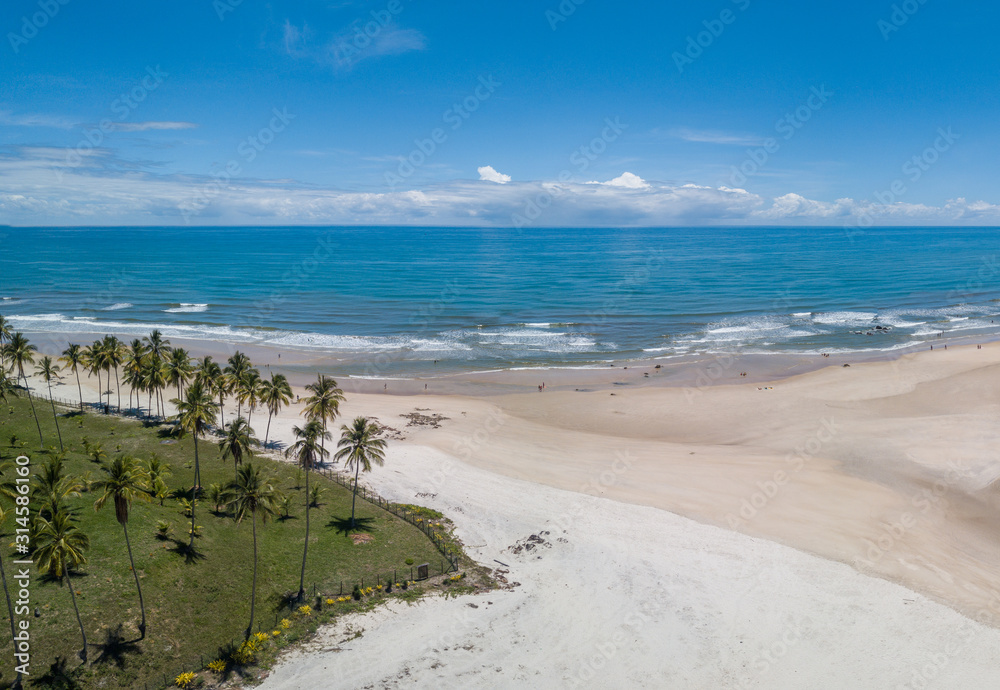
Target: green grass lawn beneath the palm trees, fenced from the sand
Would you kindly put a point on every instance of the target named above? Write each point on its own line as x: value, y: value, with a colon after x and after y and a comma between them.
x: 193, y: 606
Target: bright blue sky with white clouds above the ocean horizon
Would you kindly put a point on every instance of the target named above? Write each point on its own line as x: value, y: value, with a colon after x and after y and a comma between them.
x: 597, y: 113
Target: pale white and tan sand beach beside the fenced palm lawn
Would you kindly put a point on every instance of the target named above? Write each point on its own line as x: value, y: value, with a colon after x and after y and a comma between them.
x: 833, y: 529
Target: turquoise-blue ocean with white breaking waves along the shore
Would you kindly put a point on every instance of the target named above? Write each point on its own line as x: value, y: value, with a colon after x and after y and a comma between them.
x: 476, y: 299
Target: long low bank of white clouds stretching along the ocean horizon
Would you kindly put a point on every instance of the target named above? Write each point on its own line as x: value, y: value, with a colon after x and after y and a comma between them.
x: 38, y: 187
